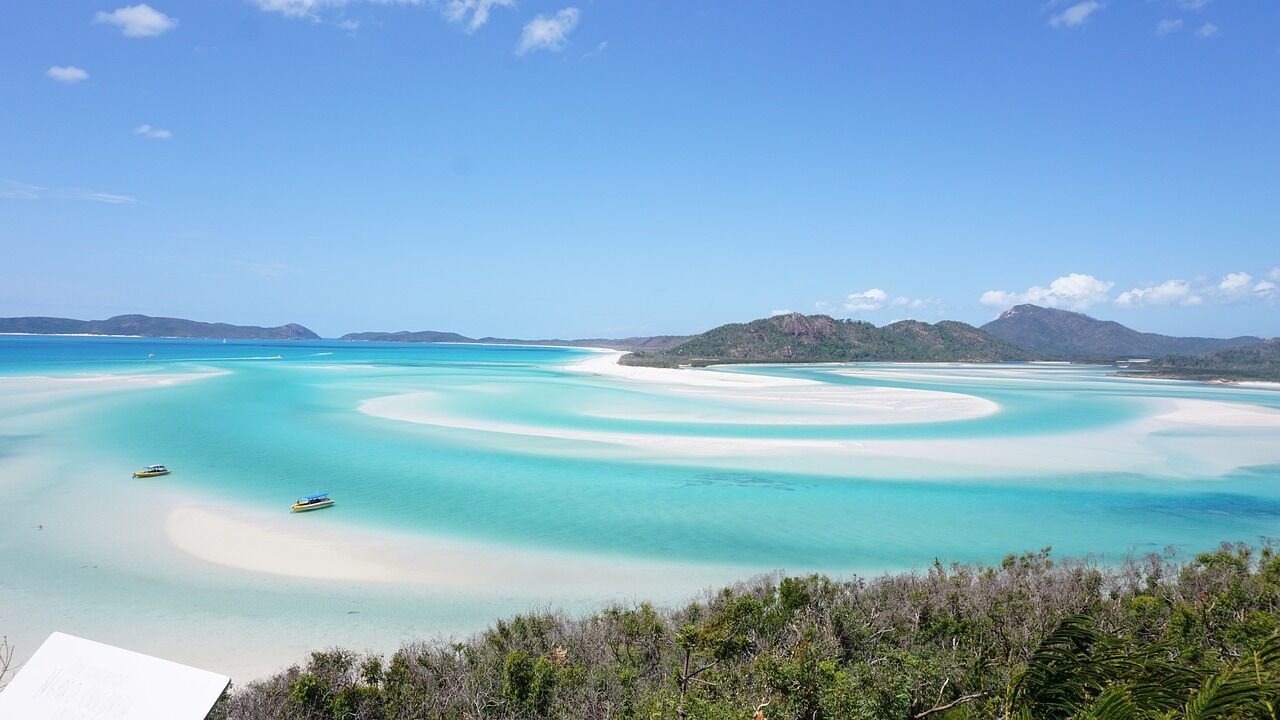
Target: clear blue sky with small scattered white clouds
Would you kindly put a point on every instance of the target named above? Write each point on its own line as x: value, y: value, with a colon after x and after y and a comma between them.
x: 586, y: 168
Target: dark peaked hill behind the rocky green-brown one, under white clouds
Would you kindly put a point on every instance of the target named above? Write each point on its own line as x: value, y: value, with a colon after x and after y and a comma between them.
x: 1062, y: 335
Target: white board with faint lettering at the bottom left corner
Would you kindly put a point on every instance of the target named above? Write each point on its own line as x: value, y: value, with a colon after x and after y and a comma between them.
x: 71, y: 678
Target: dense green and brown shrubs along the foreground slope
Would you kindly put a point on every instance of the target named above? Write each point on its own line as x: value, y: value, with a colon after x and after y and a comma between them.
x: 1031, y: 639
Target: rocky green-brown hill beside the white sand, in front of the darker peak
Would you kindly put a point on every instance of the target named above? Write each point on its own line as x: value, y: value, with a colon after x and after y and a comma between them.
x: 820, y: 339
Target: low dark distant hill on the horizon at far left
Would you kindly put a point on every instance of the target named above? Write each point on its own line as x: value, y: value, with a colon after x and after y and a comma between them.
x: 147, y: 326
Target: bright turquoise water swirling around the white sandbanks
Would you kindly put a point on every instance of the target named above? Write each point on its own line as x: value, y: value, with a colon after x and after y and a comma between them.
x: 284, y: 422
